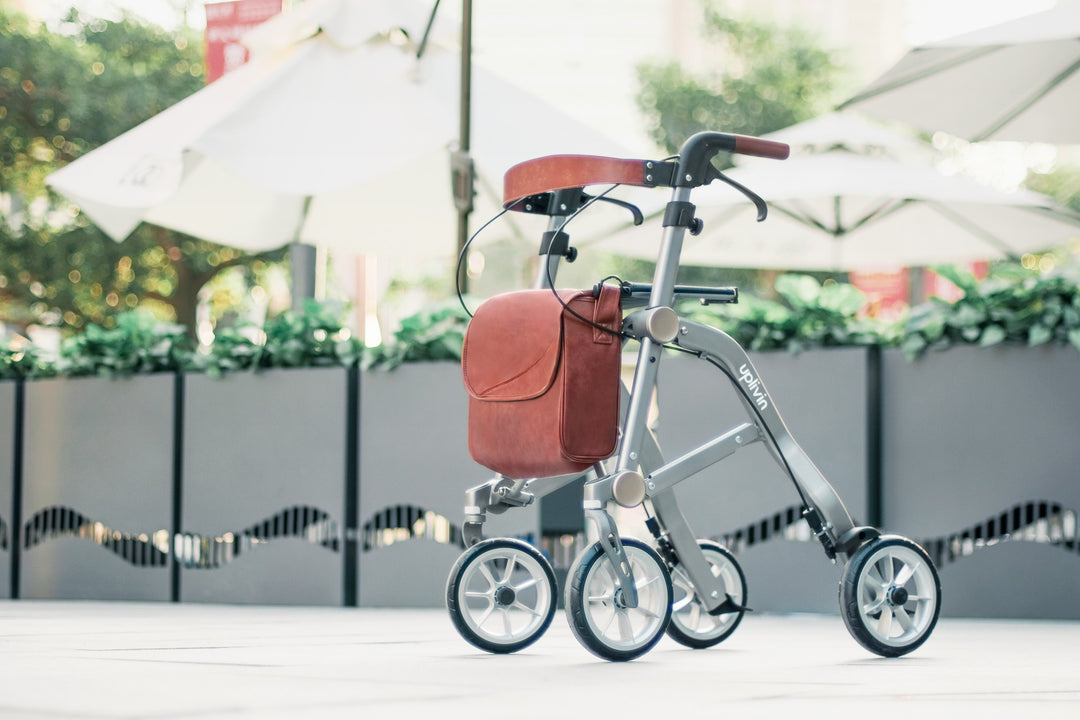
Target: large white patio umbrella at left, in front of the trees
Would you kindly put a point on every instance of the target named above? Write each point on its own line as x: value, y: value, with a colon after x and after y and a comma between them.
x: 340, y: 139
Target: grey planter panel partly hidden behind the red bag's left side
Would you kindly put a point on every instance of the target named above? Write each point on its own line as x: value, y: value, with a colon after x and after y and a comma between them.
x: 414, y: 472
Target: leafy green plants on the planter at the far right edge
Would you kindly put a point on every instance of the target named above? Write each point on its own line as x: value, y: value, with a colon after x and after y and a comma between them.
x: 1012, y: 305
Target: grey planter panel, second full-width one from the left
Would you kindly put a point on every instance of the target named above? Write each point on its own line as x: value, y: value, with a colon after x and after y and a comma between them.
x: 263, y: 508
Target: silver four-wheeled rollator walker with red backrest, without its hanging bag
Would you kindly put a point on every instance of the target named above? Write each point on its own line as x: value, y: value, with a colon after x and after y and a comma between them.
x: 623, y: 594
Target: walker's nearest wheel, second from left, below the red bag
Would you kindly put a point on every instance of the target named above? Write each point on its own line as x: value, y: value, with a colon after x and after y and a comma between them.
x: 601, y: 620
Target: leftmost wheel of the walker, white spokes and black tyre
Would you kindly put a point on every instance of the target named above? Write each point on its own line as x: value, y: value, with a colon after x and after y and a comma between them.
x: 502, y: 595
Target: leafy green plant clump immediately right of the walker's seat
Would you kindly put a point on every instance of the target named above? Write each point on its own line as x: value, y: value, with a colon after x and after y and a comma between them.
x: 813, y: 316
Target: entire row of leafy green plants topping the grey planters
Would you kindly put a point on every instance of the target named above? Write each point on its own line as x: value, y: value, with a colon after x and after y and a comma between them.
x: 1012, y: 306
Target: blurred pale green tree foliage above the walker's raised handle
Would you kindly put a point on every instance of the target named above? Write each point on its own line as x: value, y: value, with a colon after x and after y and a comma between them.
x: 766, y: 78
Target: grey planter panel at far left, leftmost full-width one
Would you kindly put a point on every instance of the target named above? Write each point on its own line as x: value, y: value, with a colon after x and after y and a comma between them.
x: 98, y: 488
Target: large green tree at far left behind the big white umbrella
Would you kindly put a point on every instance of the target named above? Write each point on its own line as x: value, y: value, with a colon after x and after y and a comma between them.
x: 65, y: 91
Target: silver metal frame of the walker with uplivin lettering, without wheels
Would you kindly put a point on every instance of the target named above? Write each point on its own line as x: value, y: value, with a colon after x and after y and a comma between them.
x: 640, y: 451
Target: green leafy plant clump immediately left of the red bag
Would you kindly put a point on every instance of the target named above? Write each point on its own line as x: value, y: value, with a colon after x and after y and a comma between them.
x: 433, y: 335
